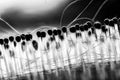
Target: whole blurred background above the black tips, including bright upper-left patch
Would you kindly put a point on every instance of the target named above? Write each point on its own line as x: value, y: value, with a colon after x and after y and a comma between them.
x: 26, y: 15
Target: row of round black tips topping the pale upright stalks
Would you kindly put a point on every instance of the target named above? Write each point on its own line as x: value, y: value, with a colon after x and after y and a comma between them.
x: 64, y: 30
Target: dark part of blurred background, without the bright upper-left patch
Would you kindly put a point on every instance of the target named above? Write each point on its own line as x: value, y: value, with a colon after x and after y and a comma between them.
x: 21, y: 22
